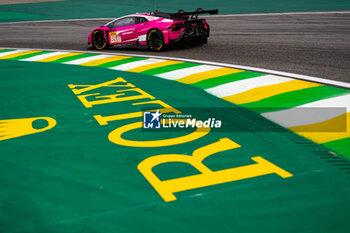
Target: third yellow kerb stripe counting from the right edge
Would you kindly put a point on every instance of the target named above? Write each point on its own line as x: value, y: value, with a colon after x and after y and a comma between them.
x: 193, y: 78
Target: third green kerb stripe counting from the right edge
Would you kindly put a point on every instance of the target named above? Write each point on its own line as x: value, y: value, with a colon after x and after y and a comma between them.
x: 213, y: 82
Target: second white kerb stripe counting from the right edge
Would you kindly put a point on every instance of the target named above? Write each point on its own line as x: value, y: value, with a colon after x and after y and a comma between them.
x: 237, y: 87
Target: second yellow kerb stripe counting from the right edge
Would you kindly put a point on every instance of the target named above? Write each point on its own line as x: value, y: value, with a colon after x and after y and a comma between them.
x: 260, y: 93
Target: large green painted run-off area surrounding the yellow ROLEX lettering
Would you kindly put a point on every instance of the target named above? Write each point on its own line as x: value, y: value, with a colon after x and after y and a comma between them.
x: 72, y: 178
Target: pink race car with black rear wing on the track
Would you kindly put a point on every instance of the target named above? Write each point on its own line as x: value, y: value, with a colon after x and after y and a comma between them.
x: 155, y: 30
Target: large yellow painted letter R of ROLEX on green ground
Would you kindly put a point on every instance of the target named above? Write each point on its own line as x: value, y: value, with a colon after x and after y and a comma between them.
x: 167, y: 188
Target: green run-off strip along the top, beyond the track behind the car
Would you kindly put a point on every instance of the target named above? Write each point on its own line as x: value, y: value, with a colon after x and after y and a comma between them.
x: 110, y: 8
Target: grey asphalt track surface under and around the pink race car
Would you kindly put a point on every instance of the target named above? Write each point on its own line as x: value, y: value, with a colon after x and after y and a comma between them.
x: 309, y: 44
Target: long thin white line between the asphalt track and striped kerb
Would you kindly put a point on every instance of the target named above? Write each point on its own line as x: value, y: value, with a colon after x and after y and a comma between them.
x: 249, y: 68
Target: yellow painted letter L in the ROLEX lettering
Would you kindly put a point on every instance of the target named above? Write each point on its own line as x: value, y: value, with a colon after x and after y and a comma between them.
x: 103, y: 120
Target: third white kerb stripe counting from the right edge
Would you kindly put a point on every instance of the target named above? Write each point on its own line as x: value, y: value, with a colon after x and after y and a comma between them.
x: 177, y: 74
